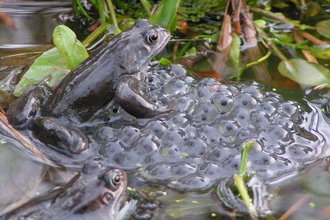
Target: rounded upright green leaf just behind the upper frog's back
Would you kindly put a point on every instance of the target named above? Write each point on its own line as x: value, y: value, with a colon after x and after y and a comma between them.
x: 69, y: 47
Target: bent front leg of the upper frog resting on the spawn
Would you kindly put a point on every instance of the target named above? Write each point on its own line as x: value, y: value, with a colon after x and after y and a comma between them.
x: 132, y: 101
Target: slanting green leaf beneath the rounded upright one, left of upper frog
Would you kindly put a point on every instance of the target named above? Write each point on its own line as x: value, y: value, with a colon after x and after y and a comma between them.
x: 49, y: 63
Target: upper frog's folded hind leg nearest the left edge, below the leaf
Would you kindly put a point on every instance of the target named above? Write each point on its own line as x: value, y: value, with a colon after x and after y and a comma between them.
x: 27, y: 106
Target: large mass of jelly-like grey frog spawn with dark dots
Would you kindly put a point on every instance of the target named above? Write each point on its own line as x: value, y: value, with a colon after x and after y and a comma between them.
x: 199, y: 143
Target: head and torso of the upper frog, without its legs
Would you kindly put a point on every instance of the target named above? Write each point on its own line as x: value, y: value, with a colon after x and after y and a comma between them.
x: 93, y: 84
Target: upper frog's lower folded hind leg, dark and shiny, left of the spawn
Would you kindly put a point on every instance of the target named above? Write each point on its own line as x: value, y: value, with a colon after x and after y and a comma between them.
x: 62, y: 138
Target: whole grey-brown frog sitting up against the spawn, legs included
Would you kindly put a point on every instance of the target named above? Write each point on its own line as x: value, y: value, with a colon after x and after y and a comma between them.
x: 113, y: 72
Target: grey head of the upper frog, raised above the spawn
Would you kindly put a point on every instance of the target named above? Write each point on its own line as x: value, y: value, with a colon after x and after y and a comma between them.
x: 143, y: 41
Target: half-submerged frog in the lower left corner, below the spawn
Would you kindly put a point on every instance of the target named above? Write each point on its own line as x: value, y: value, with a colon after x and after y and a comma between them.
x: 96, y: 193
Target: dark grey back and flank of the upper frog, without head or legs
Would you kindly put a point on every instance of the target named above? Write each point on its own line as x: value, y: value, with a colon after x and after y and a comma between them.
x: 91, y: 85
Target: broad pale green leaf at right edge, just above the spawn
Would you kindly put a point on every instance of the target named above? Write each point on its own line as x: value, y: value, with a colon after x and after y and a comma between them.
x: 305, y: 73
